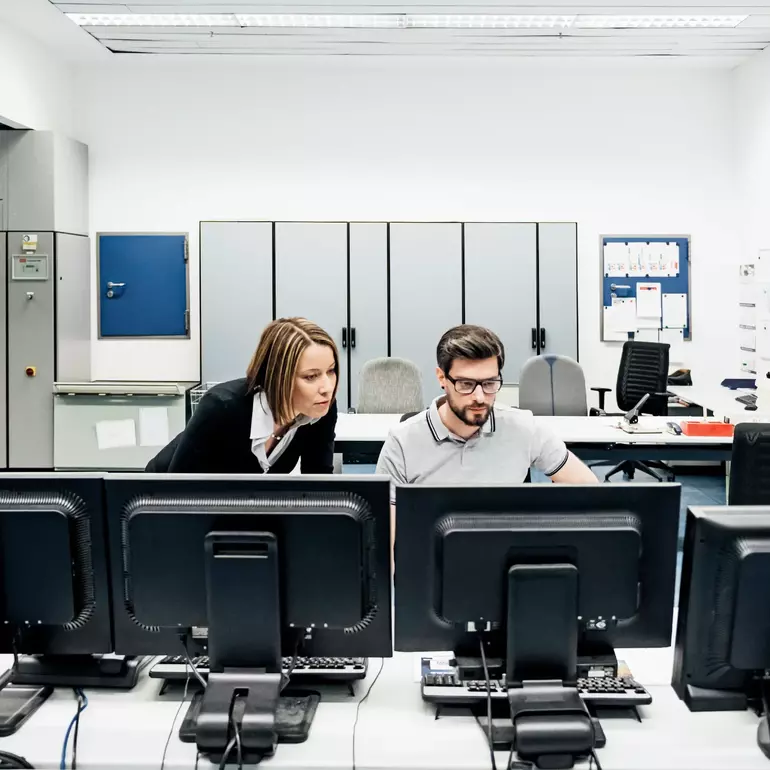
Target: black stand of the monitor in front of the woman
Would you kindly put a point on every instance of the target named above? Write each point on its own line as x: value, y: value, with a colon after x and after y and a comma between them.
x: 244, y: 621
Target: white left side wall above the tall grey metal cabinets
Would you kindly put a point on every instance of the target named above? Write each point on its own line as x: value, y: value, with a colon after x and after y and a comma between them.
x: 36, y: 85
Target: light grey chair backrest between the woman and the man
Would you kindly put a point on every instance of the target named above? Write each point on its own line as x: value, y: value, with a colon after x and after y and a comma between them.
x: 389, y: 386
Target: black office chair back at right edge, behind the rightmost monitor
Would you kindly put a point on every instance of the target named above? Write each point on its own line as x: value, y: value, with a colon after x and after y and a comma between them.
x: 750, y: 468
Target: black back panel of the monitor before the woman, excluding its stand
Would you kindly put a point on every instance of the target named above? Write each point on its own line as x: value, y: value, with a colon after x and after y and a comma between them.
x: 333, y: 536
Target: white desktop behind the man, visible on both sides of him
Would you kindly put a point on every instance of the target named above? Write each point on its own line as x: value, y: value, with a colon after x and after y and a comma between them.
x: 600, y: 430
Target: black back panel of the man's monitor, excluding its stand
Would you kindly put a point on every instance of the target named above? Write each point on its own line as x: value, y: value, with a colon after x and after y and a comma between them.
x: 456, y: 544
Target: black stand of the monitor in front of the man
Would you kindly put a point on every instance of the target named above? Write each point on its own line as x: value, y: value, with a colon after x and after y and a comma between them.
x: 551, y: 724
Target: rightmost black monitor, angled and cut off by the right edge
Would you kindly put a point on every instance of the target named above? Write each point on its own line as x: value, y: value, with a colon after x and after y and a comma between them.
x: 722, y: 649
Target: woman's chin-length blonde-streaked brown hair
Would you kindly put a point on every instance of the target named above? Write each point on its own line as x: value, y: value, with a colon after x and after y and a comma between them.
x: 273, y: 366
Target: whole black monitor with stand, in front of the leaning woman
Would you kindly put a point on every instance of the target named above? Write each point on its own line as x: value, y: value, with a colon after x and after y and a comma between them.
x: 247, y: 569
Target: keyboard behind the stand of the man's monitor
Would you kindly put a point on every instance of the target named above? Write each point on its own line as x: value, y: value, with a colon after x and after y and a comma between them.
x: 606, y: 691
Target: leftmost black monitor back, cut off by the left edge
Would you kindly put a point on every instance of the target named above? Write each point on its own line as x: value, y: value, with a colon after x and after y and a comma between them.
x: 54, y: 584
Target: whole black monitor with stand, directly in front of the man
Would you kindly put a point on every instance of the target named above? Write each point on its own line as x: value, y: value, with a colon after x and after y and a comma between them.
x: 546, y: 580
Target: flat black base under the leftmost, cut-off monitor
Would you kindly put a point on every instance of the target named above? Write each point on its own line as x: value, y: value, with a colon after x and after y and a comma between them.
x: 109, y: 671
